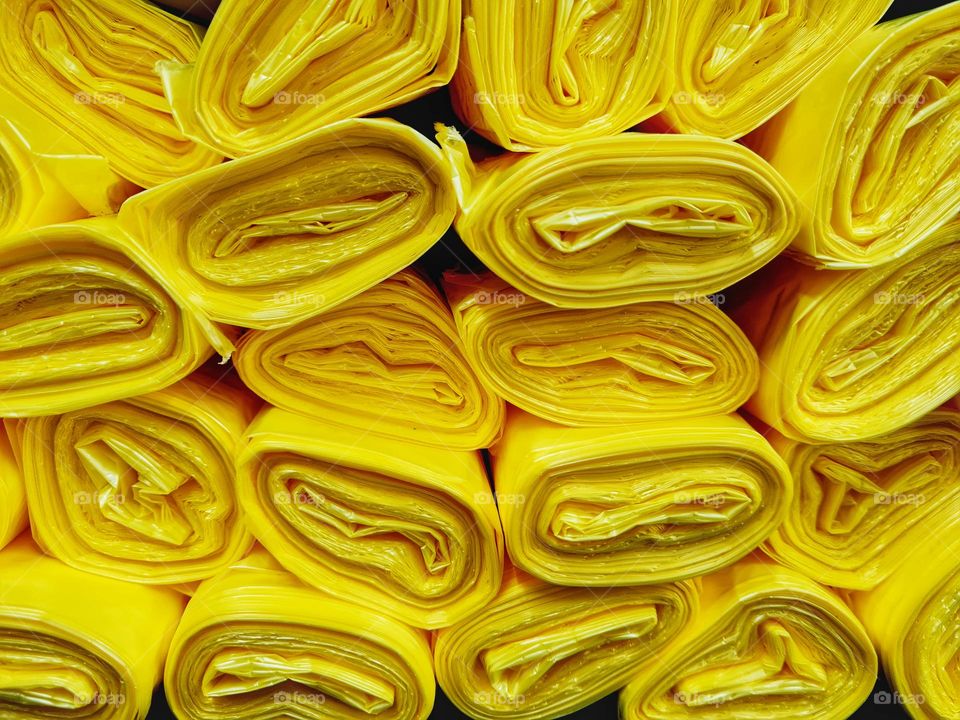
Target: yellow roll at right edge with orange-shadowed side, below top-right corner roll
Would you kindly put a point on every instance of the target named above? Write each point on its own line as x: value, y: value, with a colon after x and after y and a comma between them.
x: 850, y: 355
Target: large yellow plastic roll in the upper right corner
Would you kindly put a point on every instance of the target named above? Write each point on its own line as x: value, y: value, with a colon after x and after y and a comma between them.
x: 871, y: 146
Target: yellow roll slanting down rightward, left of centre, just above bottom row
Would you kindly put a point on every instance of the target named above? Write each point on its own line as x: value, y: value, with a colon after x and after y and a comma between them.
x: 409, y: 530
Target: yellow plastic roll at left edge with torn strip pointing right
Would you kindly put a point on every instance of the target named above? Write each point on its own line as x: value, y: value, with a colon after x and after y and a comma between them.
x: 85, y: 318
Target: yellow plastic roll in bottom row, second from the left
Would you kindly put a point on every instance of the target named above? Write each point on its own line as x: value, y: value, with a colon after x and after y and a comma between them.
x: 256, y: 643
